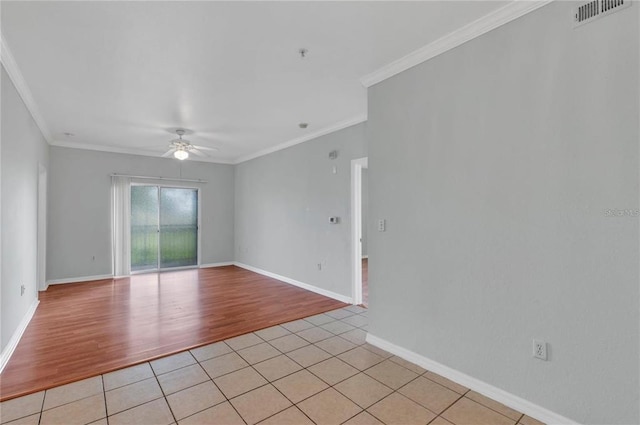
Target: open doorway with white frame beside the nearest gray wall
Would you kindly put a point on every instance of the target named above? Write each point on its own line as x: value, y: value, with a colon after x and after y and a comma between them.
x: 359, y: 264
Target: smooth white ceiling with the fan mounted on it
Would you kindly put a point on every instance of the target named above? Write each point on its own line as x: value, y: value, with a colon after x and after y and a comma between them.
x: 122, y: 75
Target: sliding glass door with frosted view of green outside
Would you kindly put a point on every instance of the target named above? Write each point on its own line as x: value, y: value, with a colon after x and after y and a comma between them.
x: 164, y: 227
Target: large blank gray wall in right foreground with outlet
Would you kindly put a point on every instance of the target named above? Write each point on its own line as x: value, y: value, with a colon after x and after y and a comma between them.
x: 494, y: 164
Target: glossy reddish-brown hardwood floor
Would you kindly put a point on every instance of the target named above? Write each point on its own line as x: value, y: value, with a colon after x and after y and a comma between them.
x: 87, y: 329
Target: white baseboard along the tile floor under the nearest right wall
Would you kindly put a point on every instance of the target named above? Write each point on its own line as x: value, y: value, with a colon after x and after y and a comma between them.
x: 504, y: 397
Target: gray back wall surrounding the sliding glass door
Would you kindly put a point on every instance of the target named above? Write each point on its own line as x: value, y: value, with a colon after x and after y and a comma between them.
x: 80, y: 214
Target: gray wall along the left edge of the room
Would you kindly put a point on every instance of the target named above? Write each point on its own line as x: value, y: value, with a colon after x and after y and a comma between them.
x: 23, y: 148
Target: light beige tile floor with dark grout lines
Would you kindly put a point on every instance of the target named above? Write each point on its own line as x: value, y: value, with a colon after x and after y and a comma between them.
x: 317, y: 370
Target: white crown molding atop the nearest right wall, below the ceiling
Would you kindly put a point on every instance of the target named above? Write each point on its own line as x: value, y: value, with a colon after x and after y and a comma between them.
x: 513, y: 10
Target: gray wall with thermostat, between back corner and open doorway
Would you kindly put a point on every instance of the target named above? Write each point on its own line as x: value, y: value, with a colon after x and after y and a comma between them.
x: 283, y: 204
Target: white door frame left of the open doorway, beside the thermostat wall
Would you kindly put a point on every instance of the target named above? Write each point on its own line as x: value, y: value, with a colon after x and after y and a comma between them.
x: 356, y: 227
